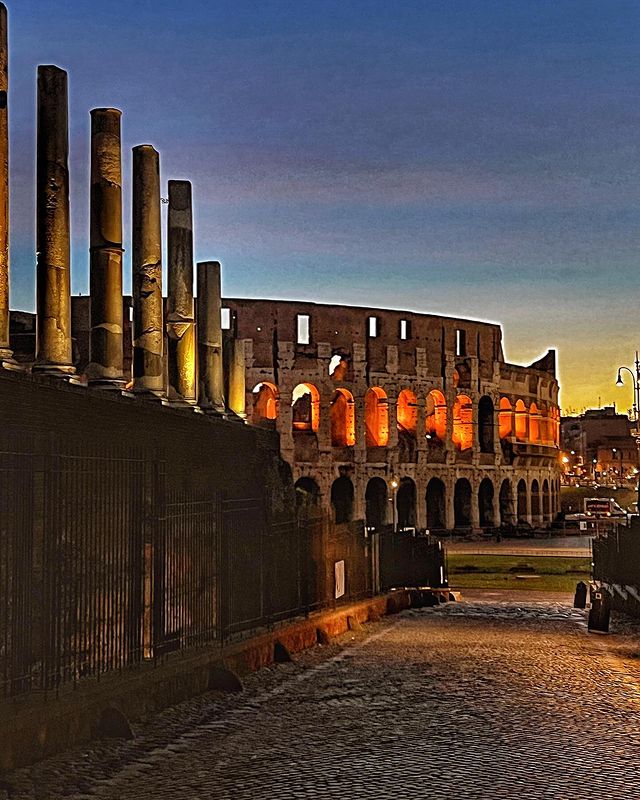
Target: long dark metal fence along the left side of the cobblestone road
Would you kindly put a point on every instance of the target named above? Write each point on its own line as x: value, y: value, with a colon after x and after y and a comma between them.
x: 107, y: 560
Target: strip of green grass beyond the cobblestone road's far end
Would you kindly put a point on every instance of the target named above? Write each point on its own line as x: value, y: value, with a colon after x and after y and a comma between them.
x: 557, y: 574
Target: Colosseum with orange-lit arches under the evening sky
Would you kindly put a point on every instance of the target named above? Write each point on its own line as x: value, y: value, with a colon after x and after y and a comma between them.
x: 402, y: 418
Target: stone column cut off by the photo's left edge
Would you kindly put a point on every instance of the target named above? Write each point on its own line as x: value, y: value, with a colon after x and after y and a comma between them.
x: 5, y: 349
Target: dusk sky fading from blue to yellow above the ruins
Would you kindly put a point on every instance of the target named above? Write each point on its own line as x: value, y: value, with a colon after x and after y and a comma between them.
x: 476, y: 158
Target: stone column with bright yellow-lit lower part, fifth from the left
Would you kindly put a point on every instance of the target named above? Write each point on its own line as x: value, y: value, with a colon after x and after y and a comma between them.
x: 181, y: 334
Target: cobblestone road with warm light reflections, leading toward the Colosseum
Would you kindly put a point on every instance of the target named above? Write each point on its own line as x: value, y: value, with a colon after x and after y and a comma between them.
x: 479, y: 699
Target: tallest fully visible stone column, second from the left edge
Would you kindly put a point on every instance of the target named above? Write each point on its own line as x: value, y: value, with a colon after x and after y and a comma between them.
x: 53, y: 296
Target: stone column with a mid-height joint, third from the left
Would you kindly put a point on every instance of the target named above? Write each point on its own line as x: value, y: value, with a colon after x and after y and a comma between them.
x: 105, y: 249
